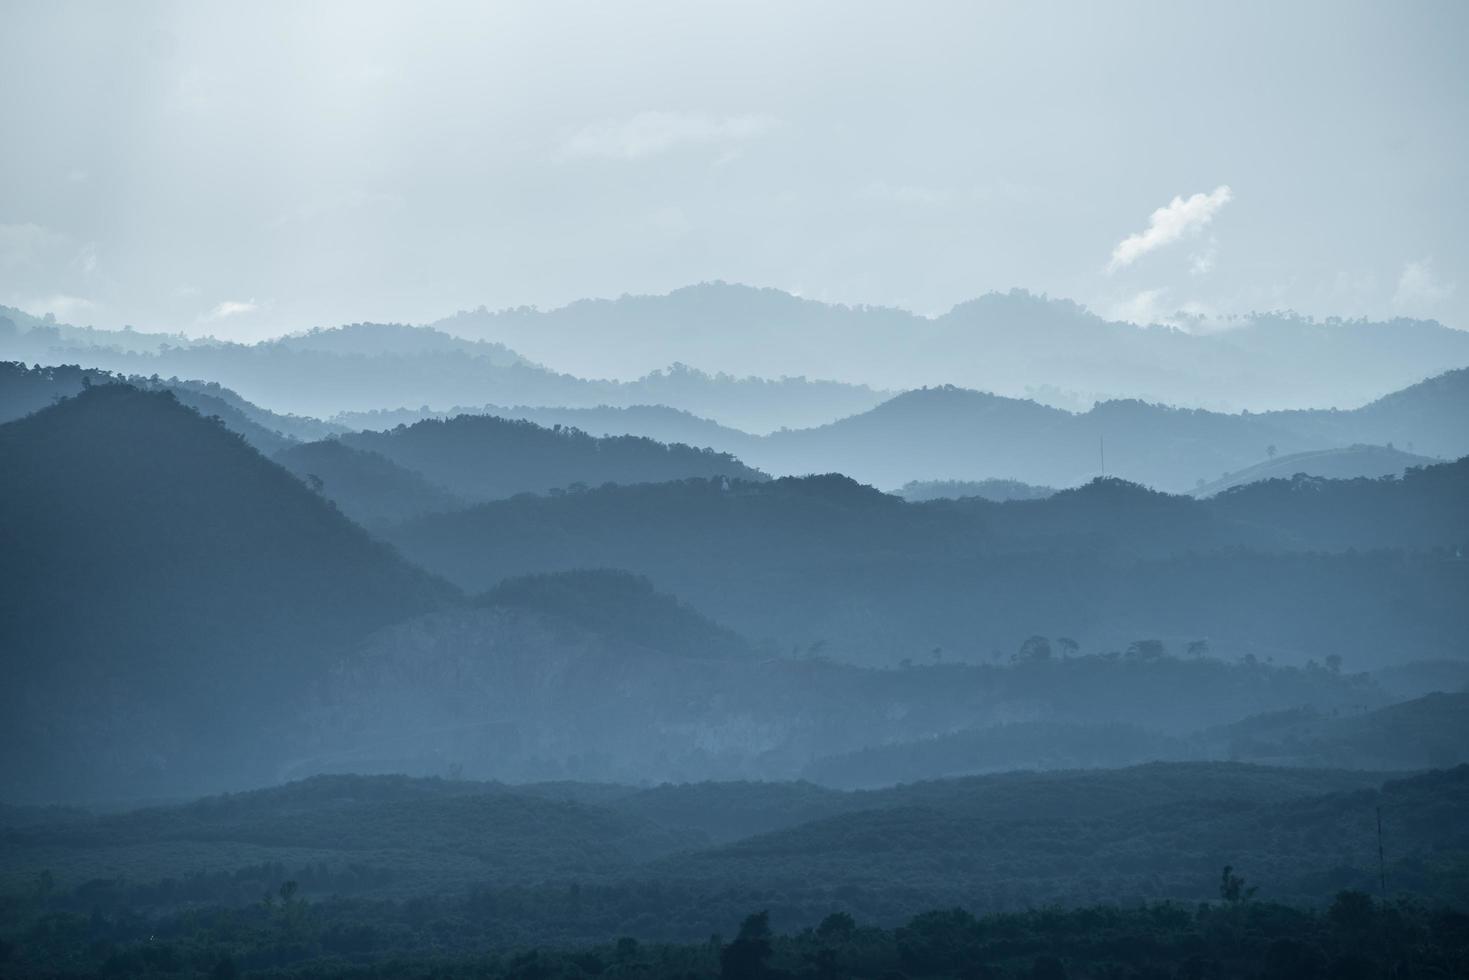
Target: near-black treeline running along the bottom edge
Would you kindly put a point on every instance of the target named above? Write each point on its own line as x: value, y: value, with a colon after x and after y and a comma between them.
x: 1357, y: 937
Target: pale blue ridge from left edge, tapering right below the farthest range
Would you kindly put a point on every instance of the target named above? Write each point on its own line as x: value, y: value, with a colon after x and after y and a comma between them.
x: 372, y: 367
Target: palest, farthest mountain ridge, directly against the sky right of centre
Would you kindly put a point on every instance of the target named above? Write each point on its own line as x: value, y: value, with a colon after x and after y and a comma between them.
x: 1016, y: 343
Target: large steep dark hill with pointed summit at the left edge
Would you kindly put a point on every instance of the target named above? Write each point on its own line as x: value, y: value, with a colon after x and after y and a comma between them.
x: 164, y: 578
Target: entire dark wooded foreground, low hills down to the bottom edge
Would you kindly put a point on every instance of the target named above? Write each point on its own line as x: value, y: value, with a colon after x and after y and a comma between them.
x: 1167, y: 871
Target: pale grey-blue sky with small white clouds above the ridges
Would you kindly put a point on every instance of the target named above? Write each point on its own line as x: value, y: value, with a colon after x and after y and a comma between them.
x: 246, y: 170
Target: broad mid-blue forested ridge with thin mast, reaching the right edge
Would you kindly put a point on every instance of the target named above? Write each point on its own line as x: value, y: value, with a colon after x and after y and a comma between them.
x: 826, y: 561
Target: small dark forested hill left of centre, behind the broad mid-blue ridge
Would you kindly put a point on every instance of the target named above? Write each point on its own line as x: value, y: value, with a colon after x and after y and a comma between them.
x: 483, y: 458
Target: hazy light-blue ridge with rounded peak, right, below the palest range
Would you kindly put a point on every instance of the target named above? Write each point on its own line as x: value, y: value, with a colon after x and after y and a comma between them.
x: 957, y: 434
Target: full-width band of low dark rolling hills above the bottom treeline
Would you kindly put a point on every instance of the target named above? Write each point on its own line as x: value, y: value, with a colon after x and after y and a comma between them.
x: 681, y: 860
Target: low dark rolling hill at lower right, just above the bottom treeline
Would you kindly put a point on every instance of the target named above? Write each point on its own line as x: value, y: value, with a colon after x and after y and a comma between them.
x: 1295, y: 849
